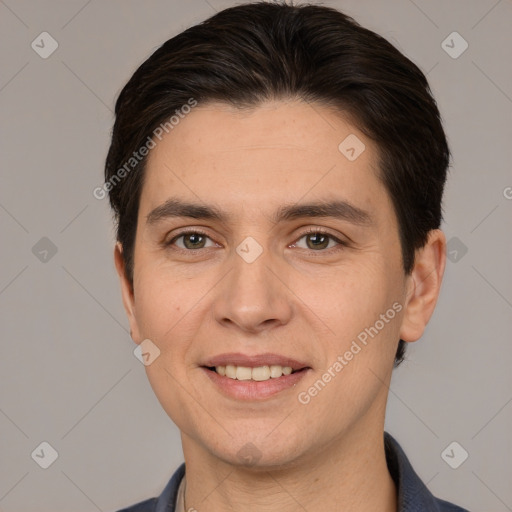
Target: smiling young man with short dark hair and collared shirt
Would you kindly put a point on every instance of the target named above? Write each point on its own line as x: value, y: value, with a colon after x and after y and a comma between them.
x: 277, y: 175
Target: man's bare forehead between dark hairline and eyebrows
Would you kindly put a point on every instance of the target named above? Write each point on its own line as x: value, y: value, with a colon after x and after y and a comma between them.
x: 258, y: 158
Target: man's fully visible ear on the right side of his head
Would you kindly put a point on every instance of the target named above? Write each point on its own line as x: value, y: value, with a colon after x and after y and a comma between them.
x: 423, y: 286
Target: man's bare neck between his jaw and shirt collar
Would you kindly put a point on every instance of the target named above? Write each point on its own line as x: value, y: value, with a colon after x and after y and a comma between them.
x: 348, y: 474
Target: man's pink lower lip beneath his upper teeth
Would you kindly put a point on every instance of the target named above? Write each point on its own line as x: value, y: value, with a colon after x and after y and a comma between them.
x: 251, y: 389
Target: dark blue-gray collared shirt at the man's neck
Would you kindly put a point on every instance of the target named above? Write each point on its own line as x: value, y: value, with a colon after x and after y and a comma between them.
x: 413, y: 495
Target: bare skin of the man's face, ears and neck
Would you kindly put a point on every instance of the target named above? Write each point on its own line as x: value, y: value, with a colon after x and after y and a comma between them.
x: 295, y: 299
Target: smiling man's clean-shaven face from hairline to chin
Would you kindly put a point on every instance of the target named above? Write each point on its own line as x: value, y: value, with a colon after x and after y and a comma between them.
x: 261, y: 244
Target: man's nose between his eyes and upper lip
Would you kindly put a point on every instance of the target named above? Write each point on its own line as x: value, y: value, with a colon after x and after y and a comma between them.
x: 253, y: 295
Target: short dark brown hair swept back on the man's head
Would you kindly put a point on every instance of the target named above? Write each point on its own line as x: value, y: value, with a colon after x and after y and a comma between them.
x: 255, y: 52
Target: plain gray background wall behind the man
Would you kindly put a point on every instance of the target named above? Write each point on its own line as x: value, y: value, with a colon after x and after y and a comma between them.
x: 68, y: 373
